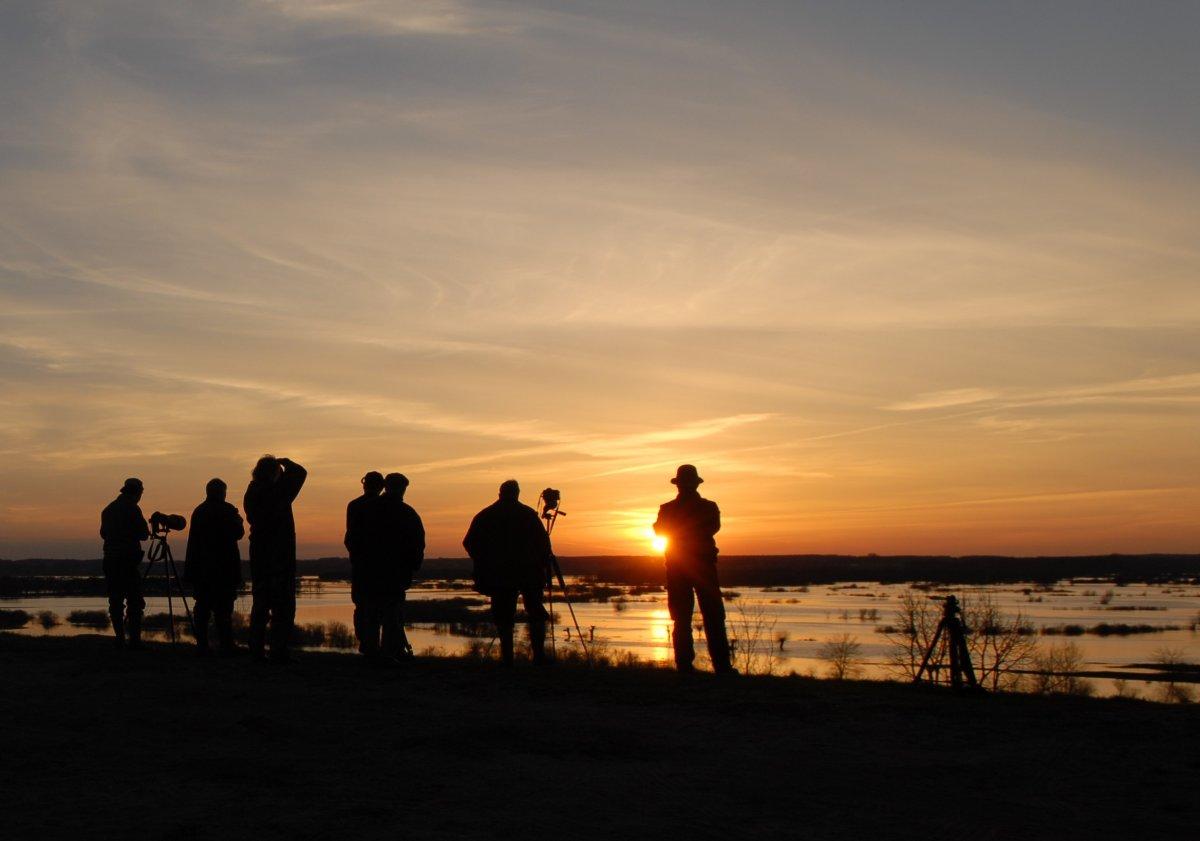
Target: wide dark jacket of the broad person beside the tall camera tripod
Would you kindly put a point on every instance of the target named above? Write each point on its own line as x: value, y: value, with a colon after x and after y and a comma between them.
x: 509, y: 548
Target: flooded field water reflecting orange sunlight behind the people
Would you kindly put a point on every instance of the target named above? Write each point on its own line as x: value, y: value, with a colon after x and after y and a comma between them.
x: 1114, y: 627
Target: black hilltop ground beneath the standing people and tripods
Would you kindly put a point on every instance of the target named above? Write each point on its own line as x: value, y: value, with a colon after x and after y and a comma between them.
x: 98, y: 743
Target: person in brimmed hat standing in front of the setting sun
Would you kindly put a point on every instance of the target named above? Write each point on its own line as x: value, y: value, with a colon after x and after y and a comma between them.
x: 689, y: 524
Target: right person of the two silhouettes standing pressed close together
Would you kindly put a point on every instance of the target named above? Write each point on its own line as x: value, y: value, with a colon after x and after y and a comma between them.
x: 405, y: 548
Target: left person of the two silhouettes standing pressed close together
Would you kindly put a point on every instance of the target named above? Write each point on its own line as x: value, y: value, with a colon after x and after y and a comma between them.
x: 365, y: 543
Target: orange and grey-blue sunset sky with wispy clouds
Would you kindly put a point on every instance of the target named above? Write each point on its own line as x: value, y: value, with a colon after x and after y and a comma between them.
x: 898, y: 278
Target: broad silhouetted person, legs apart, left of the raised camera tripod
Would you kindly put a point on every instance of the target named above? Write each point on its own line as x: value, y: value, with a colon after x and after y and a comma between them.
x: 512, y: 555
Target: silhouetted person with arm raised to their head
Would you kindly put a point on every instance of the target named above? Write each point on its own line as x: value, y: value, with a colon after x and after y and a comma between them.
x: 274, y: 486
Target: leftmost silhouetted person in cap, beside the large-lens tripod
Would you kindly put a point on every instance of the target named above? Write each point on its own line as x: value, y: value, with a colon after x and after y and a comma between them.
x: 124, y: 528
